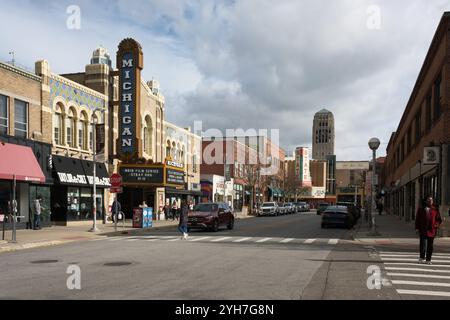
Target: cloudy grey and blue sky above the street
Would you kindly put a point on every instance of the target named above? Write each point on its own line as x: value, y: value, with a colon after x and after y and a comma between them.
x: 249, y: 63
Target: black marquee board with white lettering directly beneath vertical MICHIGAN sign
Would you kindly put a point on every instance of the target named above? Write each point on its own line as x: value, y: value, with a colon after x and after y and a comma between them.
x: 139, y: 175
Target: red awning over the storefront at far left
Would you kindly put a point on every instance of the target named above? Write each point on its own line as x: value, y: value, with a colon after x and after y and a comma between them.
x: 21, y: 162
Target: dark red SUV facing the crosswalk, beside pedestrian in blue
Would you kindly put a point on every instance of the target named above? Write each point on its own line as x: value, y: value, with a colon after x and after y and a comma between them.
x: 211, y: 216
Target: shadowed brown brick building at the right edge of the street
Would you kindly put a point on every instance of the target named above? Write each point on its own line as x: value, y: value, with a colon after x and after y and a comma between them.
x: 408, y: 175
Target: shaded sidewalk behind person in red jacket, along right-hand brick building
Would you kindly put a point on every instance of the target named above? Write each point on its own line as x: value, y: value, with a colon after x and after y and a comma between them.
x: 389, y: 230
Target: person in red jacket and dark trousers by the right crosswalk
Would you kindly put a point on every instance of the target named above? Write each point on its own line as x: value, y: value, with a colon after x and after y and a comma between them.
x: 428, y: 220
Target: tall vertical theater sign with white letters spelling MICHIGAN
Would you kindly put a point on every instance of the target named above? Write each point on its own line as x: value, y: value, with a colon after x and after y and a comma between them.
x: 130, y: 62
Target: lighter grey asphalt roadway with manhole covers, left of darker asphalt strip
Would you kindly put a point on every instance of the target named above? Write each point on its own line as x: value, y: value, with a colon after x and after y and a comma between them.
x: 267, y: 258
